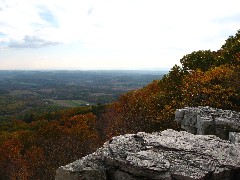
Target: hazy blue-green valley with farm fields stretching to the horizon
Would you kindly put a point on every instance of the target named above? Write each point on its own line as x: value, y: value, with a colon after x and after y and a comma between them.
x: 25, y: 92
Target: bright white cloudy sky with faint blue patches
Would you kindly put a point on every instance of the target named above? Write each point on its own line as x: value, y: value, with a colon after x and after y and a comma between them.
x: 111, y: 34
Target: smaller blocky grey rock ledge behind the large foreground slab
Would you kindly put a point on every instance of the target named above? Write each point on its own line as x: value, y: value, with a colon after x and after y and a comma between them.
x: 209, y: 121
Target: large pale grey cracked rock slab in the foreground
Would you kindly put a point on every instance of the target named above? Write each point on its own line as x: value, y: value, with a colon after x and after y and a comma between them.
x: 165, y: 155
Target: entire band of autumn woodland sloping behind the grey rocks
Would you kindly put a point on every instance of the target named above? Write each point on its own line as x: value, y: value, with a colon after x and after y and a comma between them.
x: 35, y: 149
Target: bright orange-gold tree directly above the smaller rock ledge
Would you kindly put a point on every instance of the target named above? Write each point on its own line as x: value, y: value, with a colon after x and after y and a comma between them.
x: 211, y: 88
